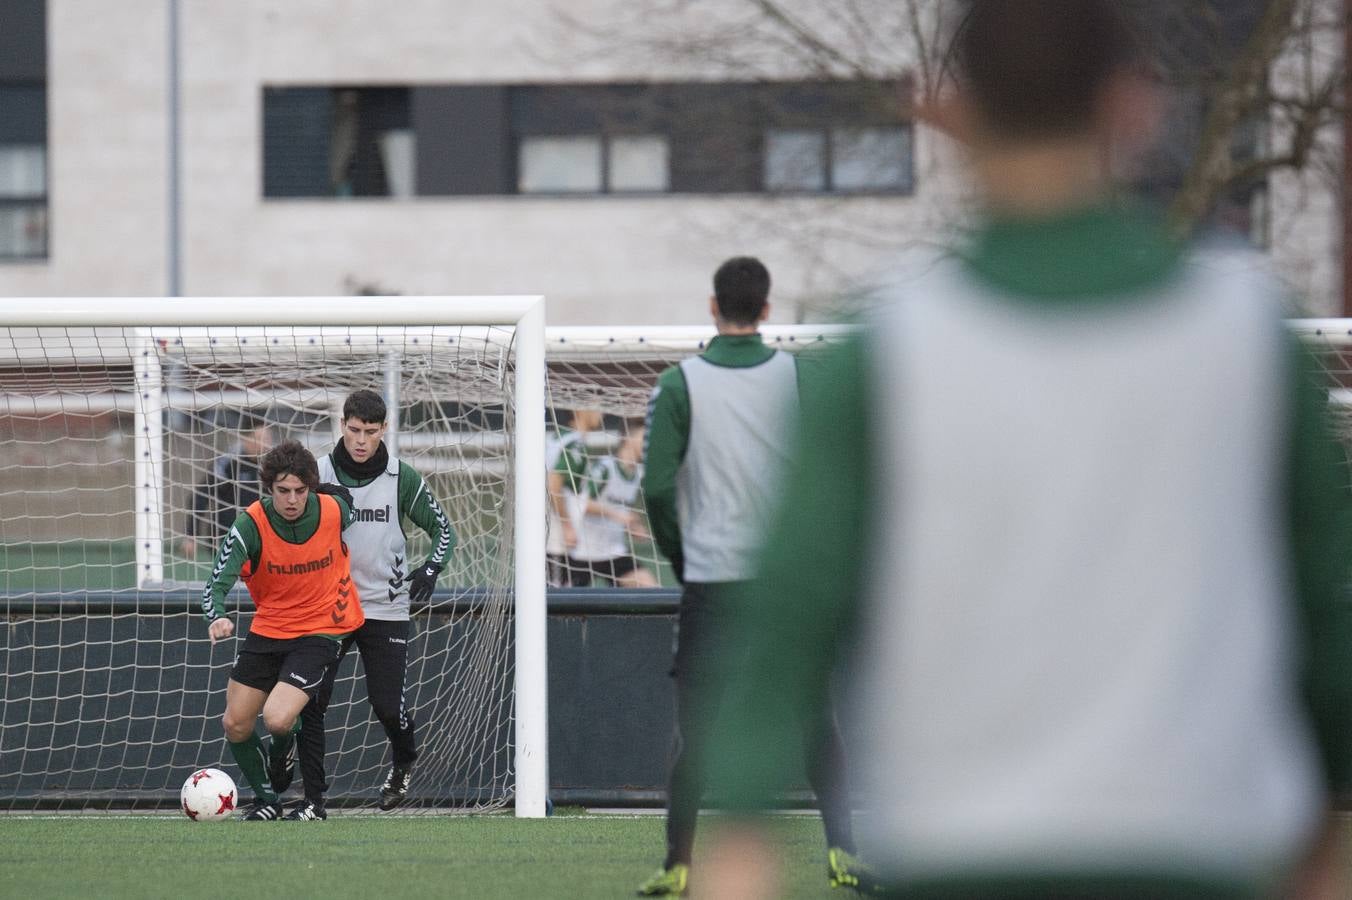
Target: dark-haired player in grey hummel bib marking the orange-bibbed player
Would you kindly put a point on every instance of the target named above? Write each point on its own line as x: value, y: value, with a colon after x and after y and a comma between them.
x: 386, y: 493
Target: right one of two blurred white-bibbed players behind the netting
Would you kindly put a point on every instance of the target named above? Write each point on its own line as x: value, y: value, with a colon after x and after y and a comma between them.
x: 610, y: 521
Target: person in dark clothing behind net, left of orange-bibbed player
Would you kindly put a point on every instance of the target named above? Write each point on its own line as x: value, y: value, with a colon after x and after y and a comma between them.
x: 231, y: 487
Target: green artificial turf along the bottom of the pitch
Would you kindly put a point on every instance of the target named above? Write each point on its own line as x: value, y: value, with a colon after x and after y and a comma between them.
x: 370, y: 857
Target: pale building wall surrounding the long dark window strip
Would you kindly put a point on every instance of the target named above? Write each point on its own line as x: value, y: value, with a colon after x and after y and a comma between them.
x: 601, y: 260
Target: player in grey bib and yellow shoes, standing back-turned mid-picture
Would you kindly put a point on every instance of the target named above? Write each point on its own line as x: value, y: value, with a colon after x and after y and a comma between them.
x: 716, y: 451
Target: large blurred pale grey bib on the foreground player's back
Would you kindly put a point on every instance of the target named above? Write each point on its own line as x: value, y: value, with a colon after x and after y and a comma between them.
x: 1111, y: 509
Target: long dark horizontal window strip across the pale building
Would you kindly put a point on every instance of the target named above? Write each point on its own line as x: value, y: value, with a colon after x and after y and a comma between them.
x: 587, y: 140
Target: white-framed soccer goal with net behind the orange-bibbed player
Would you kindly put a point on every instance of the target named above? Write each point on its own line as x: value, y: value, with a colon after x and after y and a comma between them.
x: 121, y: 421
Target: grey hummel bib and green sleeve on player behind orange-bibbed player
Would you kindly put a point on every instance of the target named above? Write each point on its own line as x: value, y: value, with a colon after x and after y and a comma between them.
x: 377, y: 541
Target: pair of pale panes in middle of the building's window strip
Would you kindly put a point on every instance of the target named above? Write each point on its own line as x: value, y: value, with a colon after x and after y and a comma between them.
x: 593, y: 164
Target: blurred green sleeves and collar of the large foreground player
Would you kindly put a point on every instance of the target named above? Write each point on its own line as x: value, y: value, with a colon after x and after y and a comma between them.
x: 825, y: 551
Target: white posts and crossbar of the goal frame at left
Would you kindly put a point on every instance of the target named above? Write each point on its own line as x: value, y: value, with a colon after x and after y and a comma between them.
x: 367, y: 316
